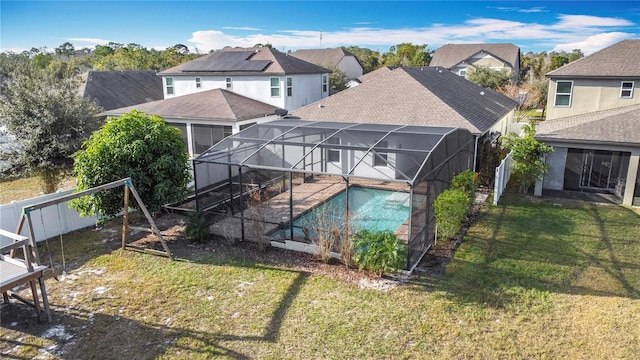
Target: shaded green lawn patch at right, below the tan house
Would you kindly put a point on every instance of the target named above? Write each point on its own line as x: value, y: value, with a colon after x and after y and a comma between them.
x: 520, y: 252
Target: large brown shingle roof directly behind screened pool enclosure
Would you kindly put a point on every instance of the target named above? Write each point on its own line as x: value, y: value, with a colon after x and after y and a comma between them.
x: 414, y: 96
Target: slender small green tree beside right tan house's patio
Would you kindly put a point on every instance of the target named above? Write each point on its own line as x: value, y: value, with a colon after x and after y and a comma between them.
x: 528, y: 153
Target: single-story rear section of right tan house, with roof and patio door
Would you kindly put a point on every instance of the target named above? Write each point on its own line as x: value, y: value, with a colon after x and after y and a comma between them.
x: 595, y: 152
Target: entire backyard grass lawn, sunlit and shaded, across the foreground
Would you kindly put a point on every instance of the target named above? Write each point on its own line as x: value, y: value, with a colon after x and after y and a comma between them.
x: 530, y: 280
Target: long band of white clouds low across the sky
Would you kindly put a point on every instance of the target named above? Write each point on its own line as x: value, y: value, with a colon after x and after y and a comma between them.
x: 588, y: 33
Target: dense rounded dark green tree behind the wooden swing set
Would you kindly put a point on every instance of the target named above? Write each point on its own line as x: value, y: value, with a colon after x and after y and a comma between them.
x: 136, y: 145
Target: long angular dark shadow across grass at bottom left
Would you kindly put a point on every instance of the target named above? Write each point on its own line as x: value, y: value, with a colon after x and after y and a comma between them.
x: 78, y: 334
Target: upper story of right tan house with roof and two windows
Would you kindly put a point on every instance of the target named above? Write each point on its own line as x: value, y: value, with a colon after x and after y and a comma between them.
x: 603, y: 80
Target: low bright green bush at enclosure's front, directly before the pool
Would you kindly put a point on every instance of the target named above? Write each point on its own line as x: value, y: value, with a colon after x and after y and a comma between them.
x: 378, y: 251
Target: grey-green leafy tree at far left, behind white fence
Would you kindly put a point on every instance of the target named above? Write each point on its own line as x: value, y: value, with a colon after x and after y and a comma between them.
x: 49, y: 120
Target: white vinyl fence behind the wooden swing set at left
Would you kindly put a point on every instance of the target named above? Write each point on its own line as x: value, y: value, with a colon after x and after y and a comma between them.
x: 48, y: 222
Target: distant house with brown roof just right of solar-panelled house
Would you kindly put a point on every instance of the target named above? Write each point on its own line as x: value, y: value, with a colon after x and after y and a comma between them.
x: 337, y: 58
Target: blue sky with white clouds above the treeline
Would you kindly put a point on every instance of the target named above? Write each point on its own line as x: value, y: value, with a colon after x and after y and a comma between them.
x: 290, y: 25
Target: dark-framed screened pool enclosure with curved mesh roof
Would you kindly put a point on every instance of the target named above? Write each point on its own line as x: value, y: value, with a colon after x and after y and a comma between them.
x: 292, y: 183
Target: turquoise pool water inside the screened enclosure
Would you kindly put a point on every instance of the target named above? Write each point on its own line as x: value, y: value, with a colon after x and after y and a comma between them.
x: 371, y: 209
